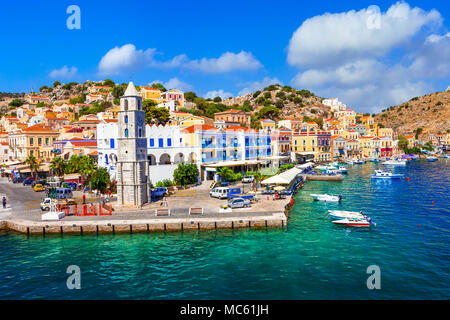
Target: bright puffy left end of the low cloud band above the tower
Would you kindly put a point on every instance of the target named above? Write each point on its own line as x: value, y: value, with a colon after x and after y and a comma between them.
x: 124, y: 59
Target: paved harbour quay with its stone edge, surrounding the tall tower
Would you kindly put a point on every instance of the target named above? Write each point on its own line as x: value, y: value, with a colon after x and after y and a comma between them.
x: 264, y: 213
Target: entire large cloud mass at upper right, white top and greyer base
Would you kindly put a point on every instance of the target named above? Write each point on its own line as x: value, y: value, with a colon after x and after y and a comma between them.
x: 342, y: 57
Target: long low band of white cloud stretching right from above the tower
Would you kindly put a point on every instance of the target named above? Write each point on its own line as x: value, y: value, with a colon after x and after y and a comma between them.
x: 128, y: 58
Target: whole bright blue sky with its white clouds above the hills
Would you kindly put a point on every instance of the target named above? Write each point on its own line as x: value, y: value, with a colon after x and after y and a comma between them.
x: 233, y: 47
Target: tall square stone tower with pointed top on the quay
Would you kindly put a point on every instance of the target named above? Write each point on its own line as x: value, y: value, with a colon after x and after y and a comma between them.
x: 132, y: 163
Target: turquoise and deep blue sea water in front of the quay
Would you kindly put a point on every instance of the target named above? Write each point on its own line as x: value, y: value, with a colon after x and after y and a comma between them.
x: 310, y: 259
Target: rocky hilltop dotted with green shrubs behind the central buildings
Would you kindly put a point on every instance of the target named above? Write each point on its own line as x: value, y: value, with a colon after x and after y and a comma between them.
x: 290, y: 102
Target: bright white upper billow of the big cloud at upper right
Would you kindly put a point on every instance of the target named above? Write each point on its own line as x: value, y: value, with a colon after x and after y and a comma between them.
x: 333, y: 39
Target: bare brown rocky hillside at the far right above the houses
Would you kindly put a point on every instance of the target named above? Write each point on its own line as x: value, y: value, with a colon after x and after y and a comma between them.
x: 430, y: 112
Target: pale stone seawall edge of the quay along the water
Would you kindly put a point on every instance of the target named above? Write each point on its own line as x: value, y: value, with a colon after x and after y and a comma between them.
x: 276, y: 220
